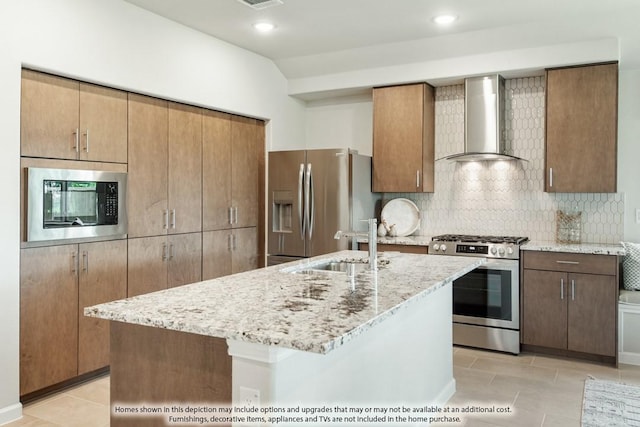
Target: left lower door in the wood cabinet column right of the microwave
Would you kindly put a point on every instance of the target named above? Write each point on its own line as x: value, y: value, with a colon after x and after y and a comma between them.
x: 147, y: 269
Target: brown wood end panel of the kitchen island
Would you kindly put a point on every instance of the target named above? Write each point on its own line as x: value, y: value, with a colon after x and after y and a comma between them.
x: 156, y: 367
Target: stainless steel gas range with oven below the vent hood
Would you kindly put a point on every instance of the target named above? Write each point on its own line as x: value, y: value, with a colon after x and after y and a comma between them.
x: 486, y: 301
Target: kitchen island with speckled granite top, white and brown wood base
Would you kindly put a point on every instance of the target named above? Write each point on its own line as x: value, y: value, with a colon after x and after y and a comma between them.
x: 288, y: 337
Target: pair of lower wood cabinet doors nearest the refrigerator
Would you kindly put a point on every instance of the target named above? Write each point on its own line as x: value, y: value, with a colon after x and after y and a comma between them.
x: 229, y: 251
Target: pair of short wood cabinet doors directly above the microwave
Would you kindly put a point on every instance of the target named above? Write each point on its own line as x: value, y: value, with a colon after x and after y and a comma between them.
x: 66, y: 119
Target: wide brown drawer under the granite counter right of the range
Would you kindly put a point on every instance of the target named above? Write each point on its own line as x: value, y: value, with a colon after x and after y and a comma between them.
x: 571, y: 262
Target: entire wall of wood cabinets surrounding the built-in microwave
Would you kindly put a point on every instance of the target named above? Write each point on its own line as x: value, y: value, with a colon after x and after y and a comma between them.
x: 195, y: 176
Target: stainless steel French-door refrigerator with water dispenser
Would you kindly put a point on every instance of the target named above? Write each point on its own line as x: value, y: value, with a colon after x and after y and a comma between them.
x: 313, y: 194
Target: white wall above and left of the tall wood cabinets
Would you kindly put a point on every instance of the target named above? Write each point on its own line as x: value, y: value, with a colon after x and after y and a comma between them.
x: 119, y: 45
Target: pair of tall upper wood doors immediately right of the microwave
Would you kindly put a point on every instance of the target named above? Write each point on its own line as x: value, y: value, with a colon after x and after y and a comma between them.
x: 165, y: 167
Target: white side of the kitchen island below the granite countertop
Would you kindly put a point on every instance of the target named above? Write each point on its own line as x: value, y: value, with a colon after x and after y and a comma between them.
x: 407, y: 359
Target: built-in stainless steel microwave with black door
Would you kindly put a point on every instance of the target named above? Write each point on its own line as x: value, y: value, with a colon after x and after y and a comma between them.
x: 70, y: 205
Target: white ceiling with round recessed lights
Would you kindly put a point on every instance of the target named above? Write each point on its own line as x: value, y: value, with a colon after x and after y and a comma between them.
x: 315, y: 37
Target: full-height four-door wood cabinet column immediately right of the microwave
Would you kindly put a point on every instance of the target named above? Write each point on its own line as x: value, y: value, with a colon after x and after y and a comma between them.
x: 164, y: 195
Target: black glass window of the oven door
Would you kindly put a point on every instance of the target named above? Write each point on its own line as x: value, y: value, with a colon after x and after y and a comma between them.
x: 484, y: 293
